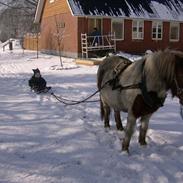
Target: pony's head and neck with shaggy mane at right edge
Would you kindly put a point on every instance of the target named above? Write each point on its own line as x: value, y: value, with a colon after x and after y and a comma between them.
x: 168, y: 65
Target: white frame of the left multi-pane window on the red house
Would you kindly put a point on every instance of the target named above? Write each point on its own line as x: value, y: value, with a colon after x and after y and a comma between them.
x: 138, y: 33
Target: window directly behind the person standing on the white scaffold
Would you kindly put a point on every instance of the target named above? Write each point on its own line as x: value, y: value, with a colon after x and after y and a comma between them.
x: 92, y: 23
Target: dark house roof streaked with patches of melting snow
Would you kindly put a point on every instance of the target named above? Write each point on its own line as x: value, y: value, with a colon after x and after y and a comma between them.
x: 146, y: 9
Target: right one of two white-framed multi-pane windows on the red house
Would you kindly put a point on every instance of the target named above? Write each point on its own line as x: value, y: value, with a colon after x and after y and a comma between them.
x: 157, y: 30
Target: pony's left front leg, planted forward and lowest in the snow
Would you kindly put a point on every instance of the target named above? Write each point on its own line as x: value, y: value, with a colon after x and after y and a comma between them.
x: 131, y: 120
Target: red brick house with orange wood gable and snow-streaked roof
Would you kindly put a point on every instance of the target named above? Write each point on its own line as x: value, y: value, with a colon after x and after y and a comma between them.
x: 125, y: 25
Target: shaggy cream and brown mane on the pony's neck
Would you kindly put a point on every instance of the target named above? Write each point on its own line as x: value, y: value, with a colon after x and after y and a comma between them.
x: 161, y: 65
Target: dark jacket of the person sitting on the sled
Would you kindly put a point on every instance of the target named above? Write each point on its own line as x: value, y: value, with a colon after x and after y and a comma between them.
x: 37, y: 84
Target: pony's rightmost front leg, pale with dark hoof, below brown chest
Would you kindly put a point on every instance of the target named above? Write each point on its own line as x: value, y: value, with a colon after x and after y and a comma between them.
x: 143, y: 129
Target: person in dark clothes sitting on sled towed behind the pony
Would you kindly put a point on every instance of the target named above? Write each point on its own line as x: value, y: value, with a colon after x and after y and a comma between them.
x: 38, y: 83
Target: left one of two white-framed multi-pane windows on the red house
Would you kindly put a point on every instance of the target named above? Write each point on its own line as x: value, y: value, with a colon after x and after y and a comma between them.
x: 137, y: 29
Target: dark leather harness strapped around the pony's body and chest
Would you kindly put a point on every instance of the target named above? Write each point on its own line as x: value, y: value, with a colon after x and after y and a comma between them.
x: 151, y: 99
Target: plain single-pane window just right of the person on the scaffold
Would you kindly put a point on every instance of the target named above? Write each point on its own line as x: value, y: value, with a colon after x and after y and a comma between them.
x: 117, y: 27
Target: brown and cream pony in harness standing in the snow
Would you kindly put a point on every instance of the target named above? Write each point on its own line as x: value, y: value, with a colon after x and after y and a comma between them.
x: 139, y: 88
